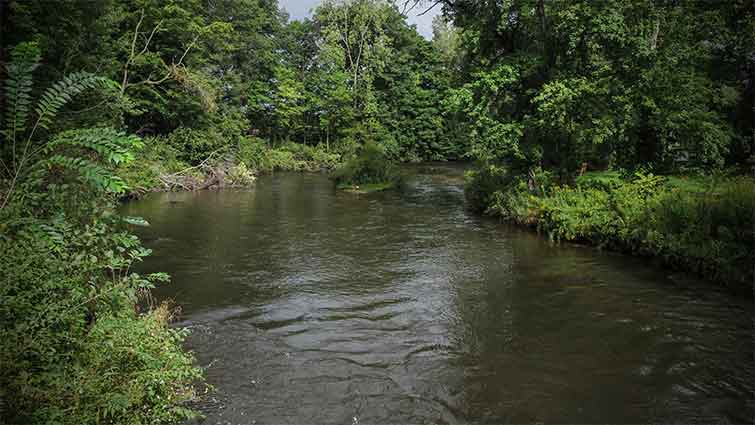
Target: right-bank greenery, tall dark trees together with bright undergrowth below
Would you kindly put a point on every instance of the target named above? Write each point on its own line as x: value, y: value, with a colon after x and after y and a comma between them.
x: 561, y: 95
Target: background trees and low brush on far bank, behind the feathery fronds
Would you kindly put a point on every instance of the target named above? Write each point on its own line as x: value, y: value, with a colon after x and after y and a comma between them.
x: 209, y: 81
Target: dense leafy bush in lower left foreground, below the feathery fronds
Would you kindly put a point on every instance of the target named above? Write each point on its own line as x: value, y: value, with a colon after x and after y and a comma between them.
x: 74, y: 348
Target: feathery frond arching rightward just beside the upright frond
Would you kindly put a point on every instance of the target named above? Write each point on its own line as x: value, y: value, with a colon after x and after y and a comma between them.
x: 62, y: 92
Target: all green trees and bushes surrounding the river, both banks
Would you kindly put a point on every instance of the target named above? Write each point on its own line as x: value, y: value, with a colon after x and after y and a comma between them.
x: 108, y: 99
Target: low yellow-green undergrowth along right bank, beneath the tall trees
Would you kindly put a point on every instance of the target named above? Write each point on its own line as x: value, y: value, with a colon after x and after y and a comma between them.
x: 699, y: 224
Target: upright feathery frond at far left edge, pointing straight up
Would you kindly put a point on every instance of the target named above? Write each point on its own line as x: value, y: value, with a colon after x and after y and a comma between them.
x: 18, y: 85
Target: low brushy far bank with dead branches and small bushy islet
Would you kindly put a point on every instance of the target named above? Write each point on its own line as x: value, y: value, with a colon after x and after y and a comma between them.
x: 160, y: 168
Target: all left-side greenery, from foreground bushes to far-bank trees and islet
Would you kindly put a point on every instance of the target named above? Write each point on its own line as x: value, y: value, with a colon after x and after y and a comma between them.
x: 172, y: 95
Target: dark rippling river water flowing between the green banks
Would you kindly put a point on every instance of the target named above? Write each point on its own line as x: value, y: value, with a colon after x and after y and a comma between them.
x: 307, y: 305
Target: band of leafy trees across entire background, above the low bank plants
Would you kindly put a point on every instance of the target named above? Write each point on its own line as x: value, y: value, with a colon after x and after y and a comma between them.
x: 526, y: 82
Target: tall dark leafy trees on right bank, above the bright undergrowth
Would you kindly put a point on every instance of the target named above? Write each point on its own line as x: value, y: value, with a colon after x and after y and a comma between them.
x: 616, y: 83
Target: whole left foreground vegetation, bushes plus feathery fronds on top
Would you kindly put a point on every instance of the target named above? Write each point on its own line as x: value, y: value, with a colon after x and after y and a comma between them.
x: 76, y: 349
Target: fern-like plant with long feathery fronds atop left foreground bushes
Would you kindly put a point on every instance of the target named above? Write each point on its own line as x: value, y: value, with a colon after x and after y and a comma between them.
x: 89, y: 153
